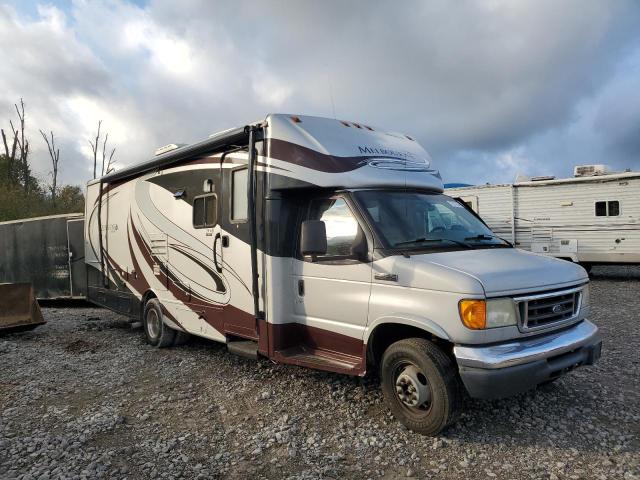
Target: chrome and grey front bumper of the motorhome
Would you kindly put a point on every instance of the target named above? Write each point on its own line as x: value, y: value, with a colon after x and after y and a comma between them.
x: 510, y: 368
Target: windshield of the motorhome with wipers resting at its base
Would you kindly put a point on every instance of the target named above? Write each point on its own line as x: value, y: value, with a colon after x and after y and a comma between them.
x: 406, y: 220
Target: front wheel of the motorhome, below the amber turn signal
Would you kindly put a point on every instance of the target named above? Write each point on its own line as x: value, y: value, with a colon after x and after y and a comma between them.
x: 421, y: 386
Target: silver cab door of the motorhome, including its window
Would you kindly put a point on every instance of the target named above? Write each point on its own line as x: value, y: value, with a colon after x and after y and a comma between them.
x: 332, y: 292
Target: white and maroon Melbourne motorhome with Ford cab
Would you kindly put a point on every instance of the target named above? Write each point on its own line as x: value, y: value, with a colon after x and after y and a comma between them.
x: 329, y: 244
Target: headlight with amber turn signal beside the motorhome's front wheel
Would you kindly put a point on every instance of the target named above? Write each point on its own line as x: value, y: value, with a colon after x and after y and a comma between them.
x: 481, y: 314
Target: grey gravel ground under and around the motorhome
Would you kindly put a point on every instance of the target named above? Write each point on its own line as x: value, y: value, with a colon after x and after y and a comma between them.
x: 84, y: 396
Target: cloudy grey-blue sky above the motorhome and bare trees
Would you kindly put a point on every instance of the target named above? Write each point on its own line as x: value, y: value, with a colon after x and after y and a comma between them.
x: 491, y: 88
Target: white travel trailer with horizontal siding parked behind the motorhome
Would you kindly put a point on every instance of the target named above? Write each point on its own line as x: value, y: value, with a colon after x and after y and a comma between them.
x: 593, y: 218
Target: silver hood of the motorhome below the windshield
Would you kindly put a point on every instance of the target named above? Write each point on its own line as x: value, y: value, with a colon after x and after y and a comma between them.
x: 508, y: 270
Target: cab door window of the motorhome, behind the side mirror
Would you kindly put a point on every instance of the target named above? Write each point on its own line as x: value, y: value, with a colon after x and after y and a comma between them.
x: 341, y: 226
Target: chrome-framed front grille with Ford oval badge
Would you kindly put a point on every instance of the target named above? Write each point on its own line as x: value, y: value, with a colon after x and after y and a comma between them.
x: 538, y: 311
